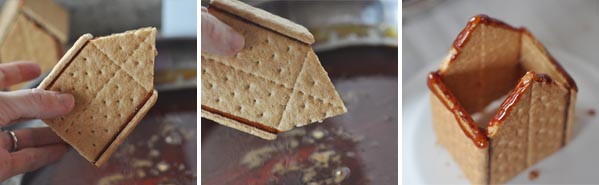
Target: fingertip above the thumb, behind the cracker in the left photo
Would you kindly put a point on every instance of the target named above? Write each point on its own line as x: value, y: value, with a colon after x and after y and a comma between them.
x: 16, y: 72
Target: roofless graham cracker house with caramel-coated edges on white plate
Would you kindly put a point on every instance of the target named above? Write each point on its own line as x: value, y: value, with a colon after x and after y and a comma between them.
x: 493, y: 61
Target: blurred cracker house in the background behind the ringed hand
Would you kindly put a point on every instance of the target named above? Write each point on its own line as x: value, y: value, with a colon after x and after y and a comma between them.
x: 34, y: 30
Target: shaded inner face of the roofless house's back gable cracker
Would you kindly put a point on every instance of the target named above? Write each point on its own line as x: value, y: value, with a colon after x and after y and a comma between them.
x: 491, y: 50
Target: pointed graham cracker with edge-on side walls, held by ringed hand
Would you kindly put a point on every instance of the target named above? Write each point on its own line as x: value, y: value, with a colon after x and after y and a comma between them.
x: 111, y: 79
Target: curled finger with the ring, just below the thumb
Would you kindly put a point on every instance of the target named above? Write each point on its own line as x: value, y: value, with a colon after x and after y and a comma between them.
x: 35, y: 137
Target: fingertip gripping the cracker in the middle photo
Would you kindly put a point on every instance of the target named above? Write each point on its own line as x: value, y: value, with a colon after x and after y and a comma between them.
x: 219, y: 38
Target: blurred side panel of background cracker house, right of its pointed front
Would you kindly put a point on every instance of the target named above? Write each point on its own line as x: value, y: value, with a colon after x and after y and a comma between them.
x: 50, y: 16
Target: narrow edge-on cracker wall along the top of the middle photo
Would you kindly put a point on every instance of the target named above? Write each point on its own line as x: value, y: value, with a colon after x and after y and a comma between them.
x: 266, y: 19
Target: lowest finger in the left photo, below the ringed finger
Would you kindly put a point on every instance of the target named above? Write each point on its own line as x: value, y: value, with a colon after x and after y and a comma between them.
x: 30, y: 159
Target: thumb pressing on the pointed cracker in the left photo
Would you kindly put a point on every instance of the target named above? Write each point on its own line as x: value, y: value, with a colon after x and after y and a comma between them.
x: 34, y: 103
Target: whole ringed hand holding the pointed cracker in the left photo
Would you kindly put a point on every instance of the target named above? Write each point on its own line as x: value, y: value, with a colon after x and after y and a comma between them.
x: 36, y: 147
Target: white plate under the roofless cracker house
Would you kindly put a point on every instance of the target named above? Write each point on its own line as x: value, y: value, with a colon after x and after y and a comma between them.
x: 426, y: 162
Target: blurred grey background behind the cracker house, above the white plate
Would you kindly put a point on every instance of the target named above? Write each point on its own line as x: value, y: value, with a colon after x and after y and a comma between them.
x: 430, y: 26
